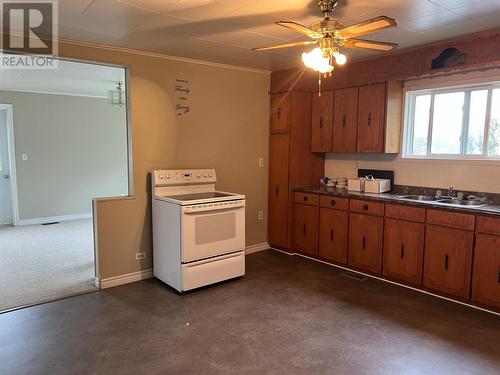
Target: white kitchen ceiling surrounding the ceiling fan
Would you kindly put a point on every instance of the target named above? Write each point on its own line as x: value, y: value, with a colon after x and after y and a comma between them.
x: 224, y: 31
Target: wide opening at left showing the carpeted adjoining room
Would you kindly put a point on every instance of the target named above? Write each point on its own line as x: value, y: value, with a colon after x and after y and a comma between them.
x: 64, y: 141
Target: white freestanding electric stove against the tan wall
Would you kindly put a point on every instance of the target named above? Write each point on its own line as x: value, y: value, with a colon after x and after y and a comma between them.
x: 198, y: 232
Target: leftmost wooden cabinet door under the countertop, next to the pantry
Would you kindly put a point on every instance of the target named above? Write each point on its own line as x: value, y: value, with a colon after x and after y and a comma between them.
x: 306, y: 228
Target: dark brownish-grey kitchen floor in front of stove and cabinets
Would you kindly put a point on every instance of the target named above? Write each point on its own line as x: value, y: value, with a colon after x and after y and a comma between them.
x: 288, y: 315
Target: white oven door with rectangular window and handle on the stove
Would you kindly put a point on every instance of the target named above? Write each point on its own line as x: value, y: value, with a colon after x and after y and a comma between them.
x: 209, y: 230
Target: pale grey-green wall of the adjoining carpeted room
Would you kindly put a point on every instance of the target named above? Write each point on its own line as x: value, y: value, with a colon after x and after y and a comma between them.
x: 76, y: 148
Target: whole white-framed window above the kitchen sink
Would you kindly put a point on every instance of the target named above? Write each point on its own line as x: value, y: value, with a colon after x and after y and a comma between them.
x: 461, y: 123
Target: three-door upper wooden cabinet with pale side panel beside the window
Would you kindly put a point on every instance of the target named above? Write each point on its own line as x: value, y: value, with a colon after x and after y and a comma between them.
x: 364, y: 119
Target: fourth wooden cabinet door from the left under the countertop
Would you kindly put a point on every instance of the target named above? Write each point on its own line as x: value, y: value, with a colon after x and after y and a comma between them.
x: 404, y: 250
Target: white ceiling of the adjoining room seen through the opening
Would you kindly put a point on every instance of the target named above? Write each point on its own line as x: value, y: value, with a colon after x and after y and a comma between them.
x: 70, y: 78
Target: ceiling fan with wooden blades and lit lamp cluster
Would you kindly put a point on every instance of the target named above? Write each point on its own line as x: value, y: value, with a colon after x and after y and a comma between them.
x: 330, y: 35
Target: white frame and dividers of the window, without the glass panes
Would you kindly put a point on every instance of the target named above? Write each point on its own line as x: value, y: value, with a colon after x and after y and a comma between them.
x: 409, y: 117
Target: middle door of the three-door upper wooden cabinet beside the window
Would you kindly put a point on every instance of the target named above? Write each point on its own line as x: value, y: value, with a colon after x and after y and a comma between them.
x: 345, y: 120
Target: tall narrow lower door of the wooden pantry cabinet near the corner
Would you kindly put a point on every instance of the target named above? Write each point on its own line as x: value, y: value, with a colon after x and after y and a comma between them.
x: 279, y: 145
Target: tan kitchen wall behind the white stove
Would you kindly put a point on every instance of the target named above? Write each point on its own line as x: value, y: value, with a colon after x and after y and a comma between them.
x: 227, y: 129
